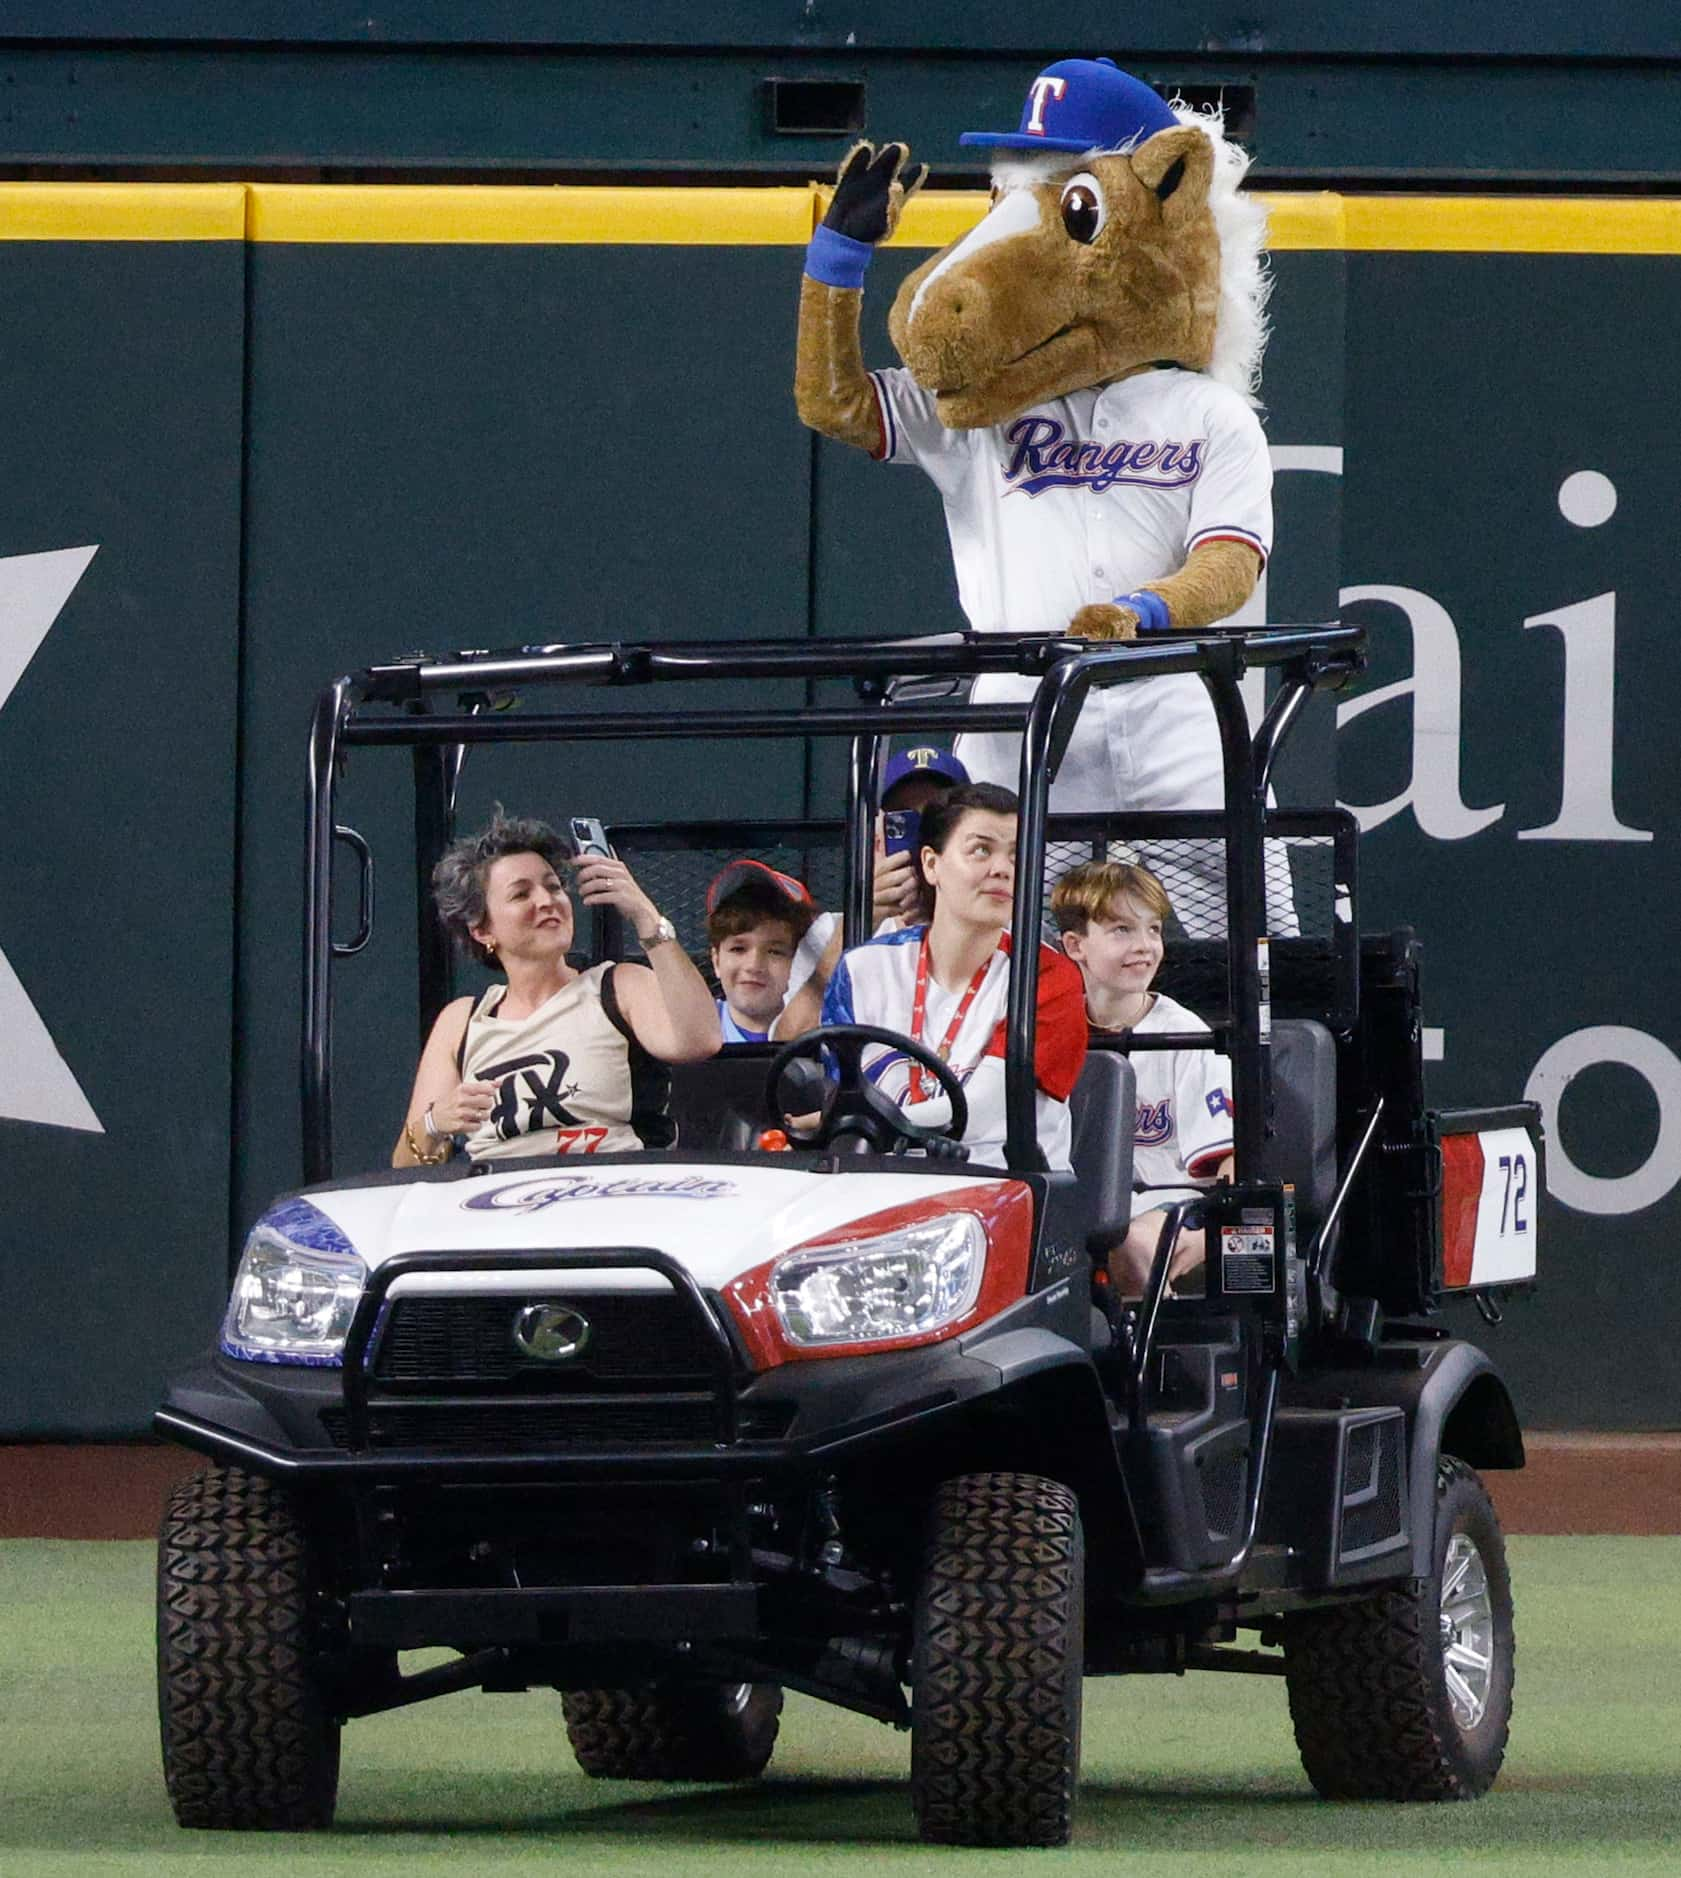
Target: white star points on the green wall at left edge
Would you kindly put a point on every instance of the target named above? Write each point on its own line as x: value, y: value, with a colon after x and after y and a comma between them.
x: 35, y: 1079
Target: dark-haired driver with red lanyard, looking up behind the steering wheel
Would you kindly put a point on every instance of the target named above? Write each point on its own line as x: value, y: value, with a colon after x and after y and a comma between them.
x: 948, y: 985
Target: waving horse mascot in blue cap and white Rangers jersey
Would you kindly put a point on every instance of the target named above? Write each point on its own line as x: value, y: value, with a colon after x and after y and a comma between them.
x: 1079, y: 382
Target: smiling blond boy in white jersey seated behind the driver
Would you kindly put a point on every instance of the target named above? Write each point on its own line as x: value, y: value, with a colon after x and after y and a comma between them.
x: 1111, y: 917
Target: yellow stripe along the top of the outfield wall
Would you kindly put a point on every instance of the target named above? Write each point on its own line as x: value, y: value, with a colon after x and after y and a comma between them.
x: 773, y: 217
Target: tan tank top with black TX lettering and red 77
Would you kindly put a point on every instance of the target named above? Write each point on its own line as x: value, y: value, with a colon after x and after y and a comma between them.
x: 574, y: 1081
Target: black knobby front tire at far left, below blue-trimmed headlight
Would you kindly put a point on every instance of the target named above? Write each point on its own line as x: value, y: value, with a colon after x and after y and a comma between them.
x: 249, y: 1740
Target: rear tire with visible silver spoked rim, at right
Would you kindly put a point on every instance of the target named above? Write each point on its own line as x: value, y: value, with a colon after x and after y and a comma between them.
x: 1380, y: 1701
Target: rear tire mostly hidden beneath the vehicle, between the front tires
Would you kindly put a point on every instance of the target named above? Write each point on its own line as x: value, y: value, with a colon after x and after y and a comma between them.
x: 675, y: 1731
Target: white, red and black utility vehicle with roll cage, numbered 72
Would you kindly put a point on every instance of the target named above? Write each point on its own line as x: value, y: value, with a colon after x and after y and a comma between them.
x: 677, y: 1432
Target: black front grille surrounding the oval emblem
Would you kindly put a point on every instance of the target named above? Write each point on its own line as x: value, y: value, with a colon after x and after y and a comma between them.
x: 638, y: 1340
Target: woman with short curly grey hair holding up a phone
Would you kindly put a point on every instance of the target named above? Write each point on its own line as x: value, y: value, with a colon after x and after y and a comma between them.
x: 555, y: 1062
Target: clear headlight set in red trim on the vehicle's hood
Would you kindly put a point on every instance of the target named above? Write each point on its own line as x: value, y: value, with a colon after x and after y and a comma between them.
x: 902, y: 1284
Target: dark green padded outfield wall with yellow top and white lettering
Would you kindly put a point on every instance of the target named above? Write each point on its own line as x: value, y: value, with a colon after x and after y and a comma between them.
x: 260, y: 435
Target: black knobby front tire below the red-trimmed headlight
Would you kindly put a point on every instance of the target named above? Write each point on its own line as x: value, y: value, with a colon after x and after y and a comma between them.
x: 998, y: 1663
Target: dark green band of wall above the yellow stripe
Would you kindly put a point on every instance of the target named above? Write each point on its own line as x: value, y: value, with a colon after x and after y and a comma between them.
x: 1419, y: 97
